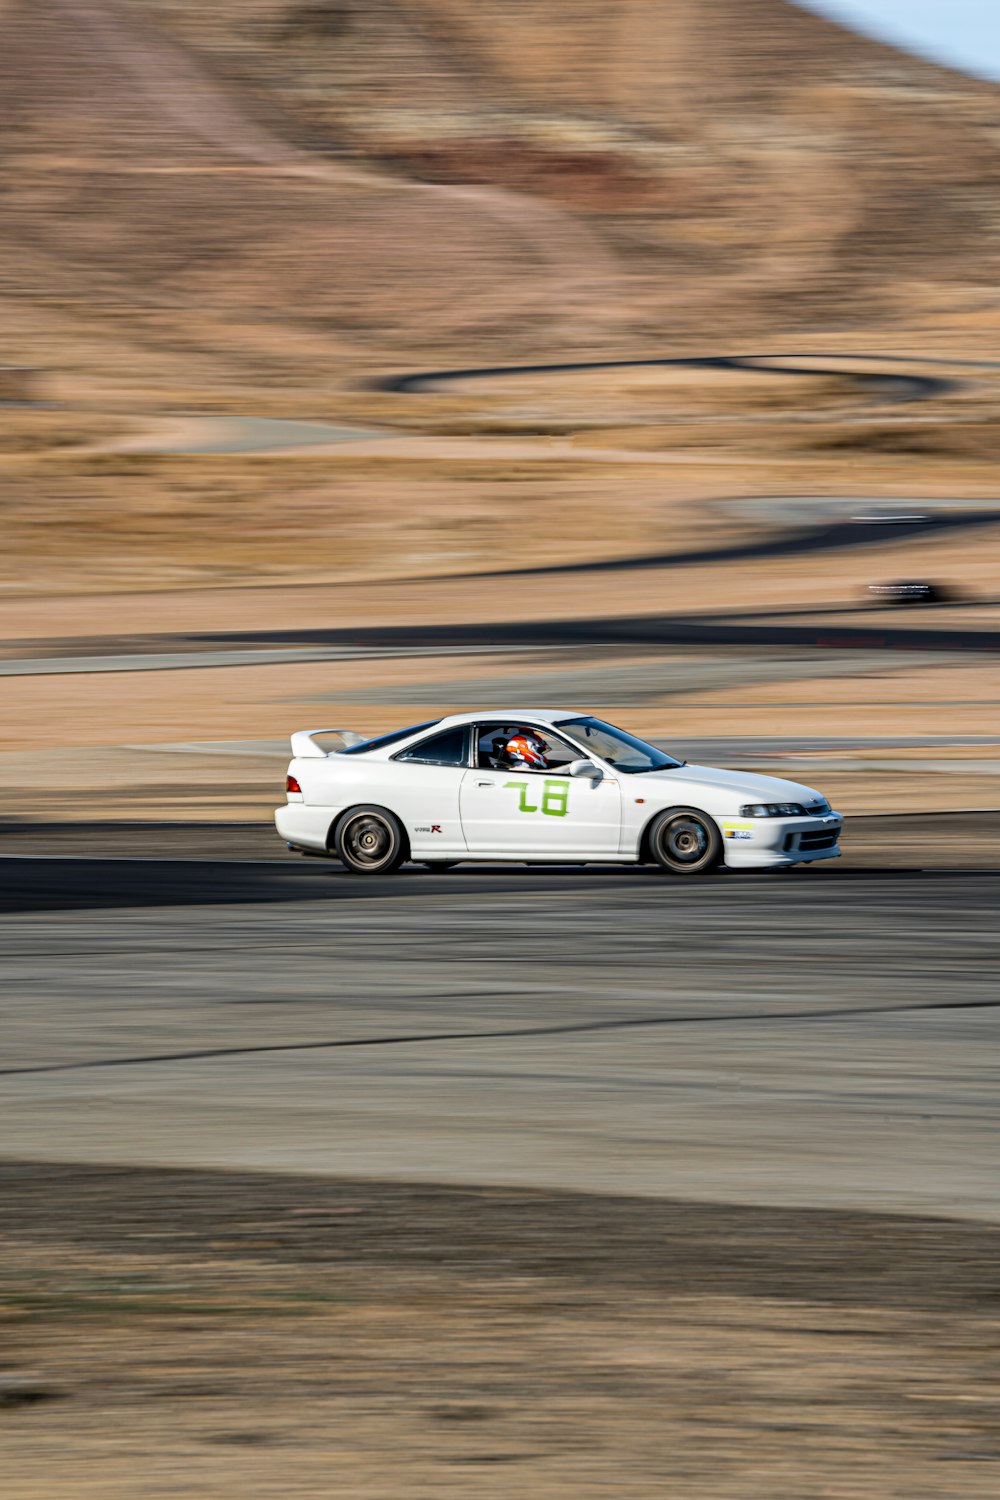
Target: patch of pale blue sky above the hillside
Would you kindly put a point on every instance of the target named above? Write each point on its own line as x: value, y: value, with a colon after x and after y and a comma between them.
x: 965, y: 34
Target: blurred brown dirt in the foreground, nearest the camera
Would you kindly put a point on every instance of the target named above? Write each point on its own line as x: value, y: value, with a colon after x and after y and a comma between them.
x: 247, y: 1336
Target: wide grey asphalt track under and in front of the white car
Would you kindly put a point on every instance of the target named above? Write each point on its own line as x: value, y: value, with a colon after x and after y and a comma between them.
x: 825, y: 1037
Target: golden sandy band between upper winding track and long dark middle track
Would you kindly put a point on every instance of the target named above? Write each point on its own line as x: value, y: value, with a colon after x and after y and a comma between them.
x: 91, y: 554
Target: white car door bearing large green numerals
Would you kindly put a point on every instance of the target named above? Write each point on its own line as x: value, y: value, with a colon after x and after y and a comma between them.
x: 540, y: 814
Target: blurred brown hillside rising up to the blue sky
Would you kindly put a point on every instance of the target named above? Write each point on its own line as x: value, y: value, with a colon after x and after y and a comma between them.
x: 481, y: 176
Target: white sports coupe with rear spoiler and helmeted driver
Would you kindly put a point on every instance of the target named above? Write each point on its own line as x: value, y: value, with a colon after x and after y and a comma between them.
x: 451, y: 791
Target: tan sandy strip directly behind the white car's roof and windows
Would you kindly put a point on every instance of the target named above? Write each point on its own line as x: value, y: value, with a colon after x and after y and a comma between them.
x: 112, y: 745
